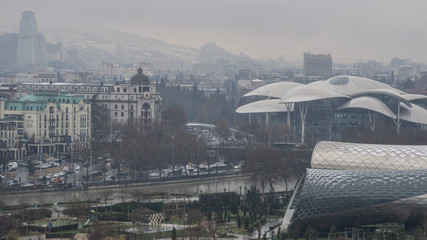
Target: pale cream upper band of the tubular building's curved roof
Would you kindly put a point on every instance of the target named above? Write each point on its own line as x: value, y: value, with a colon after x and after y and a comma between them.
x: 357, y: 156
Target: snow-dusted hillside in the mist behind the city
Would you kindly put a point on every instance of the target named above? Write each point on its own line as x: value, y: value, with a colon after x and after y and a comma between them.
x: 97, y: 45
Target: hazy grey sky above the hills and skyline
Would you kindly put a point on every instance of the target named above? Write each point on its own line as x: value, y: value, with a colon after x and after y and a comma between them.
x: 351, y: 30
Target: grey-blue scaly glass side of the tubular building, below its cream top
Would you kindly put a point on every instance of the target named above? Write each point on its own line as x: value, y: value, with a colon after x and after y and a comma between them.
x: 331, y: 191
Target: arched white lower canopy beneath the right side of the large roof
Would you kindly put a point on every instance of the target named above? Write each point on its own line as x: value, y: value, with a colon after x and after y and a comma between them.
x: 368, y: 103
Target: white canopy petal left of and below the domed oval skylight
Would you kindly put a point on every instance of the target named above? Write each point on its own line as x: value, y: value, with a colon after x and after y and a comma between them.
x: 308, y: 93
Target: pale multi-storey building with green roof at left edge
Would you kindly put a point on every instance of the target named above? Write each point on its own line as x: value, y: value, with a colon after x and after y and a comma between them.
x: 51, y: 122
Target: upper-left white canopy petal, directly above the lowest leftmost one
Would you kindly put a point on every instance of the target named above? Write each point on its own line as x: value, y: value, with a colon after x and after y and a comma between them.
x: 275, y: 90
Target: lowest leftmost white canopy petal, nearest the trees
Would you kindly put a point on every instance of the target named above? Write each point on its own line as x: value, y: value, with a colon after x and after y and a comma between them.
x: 263, y: 106
